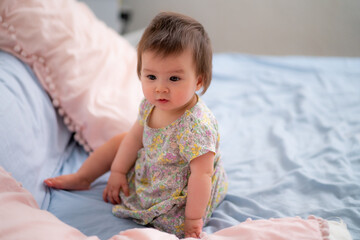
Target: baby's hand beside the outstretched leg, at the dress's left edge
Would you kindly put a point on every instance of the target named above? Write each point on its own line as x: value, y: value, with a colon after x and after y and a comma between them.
x: 116, y: 182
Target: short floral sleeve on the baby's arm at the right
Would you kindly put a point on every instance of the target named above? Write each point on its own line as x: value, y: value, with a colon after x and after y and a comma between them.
x: 198, y: 139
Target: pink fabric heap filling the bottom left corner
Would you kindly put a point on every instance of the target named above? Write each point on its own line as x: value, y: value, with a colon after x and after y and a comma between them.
x: 21, y: 218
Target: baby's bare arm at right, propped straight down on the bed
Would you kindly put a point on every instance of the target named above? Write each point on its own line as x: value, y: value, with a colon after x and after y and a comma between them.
x: 199, y: 190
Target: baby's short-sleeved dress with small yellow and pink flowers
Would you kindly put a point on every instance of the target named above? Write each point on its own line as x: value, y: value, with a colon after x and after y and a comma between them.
x: 158, y: 181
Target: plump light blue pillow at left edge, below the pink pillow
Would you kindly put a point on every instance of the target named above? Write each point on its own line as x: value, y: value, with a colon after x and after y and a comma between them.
x: 33, y: 139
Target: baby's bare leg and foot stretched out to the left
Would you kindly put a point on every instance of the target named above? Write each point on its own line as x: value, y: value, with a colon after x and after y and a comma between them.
x: 98, y: 163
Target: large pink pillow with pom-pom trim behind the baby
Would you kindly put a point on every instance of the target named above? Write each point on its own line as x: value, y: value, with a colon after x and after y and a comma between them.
x: 88, y: 70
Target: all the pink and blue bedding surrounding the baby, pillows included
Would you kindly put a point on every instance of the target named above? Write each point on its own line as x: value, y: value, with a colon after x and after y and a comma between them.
x: 290, y: 131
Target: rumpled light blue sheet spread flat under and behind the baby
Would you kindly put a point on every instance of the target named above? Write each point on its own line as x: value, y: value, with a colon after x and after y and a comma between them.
x: 290, y: 142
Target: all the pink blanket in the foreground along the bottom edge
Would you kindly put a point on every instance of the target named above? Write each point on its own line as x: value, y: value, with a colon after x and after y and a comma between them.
x: 21, y: 218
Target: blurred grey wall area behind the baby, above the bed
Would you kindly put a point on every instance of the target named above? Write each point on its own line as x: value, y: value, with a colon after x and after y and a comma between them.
x: 263, y: 27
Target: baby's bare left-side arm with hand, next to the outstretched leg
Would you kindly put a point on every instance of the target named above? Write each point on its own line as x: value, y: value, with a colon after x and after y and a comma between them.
x: 124, y: 160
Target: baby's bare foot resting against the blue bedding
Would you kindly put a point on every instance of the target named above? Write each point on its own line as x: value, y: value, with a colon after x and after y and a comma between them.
x: 68, y: 182
